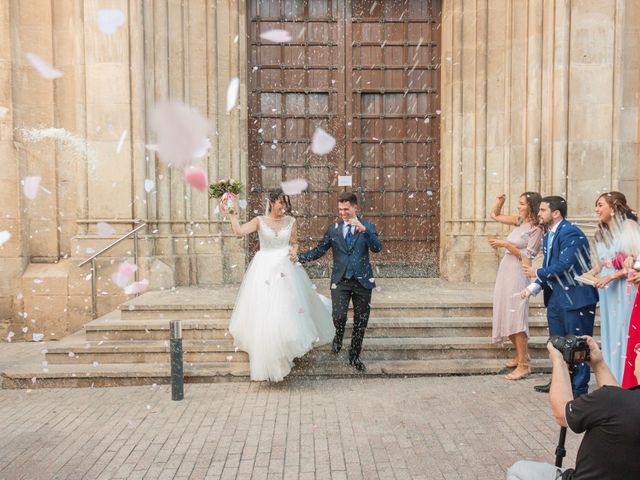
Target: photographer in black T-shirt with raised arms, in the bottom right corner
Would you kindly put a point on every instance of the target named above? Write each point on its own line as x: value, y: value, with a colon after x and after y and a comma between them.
x: 609, y: 416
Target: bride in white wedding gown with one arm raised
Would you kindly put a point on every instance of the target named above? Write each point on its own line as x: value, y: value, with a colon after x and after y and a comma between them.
x: 278, y: 315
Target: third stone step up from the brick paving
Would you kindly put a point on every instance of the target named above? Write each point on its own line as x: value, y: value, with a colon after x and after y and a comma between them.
x: 211, y: 329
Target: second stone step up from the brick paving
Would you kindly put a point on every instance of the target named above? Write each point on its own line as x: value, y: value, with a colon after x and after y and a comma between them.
x: 77, y: 350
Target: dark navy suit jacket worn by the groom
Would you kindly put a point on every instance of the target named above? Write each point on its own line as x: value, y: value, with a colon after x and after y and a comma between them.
x: 357, y: 255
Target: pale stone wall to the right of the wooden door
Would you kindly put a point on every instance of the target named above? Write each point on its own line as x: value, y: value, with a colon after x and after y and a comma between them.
x: 537, y: 95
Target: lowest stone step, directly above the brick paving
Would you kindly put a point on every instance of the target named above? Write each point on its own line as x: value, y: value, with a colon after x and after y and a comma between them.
x: 123, y: 374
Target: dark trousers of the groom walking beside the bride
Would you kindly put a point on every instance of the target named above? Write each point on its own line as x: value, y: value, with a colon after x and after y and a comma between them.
x: 349, y: 289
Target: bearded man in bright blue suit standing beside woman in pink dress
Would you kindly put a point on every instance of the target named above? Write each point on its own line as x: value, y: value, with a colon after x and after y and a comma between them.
x: 570, y: 306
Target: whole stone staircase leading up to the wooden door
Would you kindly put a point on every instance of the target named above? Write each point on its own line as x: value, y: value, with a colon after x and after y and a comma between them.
x: 442, y: 329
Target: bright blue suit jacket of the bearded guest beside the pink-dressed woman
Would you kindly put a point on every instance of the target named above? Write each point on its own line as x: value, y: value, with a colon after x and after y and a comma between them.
x: 569, y: 256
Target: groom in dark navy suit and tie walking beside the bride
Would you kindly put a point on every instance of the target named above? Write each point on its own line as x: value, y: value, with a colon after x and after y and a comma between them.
x: 352, y: 277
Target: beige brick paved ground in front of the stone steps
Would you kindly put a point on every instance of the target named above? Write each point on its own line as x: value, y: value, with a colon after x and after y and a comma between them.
x: 428, y: 428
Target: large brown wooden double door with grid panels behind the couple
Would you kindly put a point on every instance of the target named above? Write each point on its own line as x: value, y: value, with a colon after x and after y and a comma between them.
x: 367, y: 72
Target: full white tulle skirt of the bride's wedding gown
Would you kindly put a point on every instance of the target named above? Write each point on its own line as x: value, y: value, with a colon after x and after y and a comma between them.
x: 278, y: 315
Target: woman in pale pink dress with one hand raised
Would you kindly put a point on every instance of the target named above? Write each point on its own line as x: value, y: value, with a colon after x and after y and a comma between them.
x: 510, y: 312
